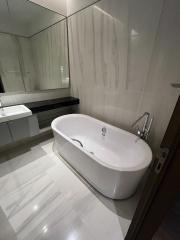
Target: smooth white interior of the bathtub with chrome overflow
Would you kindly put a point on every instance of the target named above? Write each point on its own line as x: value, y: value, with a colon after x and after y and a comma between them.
x: 118, y: 148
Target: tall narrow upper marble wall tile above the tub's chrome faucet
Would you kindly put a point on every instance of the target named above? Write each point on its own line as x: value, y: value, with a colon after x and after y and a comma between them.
x: 142, y: 35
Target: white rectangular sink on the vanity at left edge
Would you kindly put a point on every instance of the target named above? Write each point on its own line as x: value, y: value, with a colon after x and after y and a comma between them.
x: 14, y: 112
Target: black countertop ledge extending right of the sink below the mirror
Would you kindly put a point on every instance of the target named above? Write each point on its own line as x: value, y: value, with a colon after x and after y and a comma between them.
x: 41, y: 106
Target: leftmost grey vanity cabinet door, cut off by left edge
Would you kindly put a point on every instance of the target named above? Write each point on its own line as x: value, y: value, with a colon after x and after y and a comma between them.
x: 5, y: 136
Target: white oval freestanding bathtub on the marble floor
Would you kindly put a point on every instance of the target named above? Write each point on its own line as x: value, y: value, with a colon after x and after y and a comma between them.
x: 112, y: 160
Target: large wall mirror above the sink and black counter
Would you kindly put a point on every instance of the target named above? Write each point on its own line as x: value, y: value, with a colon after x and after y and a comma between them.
x: 33, y: 48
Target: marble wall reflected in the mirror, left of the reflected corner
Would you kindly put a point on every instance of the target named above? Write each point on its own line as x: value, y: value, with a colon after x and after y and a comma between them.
x: 16, y: 64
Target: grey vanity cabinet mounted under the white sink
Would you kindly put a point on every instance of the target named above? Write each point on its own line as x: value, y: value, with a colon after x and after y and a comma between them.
x: 18, y: 129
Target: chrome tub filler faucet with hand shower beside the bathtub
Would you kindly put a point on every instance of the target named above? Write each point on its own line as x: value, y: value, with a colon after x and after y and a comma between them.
x: 144, y: 132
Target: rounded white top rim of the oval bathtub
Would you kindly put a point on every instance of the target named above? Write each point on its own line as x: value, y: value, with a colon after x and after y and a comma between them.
x: 136, y: 168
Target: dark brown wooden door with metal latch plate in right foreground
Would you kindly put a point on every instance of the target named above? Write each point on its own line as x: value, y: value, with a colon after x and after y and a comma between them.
x: 162, y: 185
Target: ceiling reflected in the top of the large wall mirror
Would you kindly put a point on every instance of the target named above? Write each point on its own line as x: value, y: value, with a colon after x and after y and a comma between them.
x: 25, y: 18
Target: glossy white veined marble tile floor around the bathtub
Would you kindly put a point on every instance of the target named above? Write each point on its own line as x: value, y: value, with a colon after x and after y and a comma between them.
x: 42, y: 198
